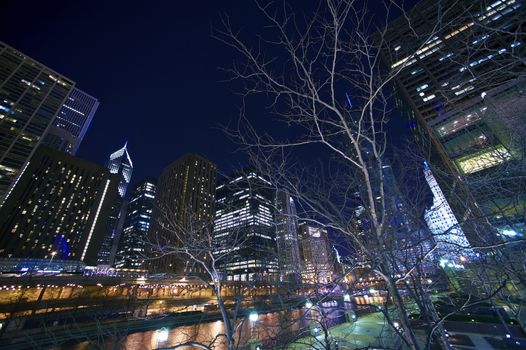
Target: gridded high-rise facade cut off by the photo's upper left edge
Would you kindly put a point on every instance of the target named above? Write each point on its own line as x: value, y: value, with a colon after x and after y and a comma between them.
x: 31, y: 95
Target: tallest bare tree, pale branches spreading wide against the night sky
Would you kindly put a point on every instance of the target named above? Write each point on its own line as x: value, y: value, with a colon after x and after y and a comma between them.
x: 321, y: 71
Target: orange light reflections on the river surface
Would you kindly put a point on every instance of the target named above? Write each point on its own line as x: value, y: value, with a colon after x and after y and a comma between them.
x: 270, y: 327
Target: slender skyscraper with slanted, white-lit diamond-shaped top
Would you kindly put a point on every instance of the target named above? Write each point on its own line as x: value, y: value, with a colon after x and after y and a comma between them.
x: 121, y: 164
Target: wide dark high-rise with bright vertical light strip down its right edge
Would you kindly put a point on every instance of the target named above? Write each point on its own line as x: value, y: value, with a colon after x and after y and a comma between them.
x: 59, y: 206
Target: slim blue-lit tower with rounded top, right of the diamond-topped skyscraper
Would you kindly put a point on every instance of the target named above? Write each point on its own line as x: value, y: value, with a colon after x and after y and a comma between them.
x: 131, y: 251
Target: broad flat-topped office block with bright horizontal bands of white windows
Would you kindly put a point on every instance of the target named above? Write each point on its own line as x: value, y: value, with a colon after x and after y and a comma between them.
x: 244, y: 228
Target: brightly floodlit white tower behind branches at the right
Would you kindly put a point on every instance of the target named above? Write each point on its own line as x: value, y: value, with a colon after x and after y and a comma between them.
x: 444, y: 225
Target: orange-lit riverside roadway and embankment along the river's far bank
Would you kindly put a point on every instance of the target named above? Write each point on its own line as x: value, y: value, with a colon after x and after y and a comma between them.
x: 39, y: 309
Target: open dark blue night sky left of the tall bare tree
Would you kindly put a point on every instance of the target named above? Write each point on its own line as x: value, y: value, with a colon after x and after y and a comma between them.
x: 152, y: 65
